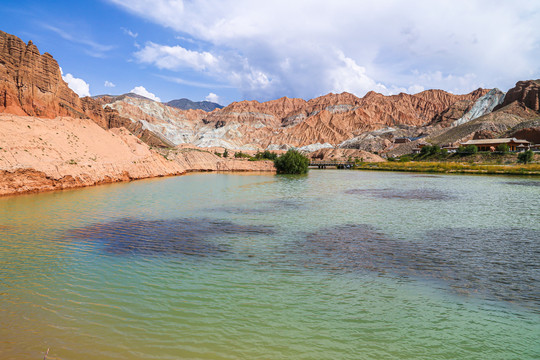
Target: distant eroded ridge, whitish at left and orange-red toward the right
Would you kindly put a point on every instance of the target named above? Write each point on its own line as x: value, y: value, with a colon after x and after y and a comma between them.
x: 323, y: 122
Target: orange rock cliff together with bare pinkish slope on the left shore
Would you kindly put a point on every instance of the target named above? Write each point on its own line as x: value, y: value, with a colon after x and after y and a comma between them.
x: 52, y: 139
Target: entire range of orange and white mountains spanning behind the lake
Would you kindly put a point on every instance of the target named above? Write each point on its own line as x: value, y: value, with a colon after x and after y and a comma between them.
x: 335, y: 125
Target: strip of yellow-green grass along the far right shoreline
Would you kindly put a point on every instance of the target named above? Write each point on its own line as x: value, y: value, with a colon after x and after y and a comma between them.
x: 453, y: 167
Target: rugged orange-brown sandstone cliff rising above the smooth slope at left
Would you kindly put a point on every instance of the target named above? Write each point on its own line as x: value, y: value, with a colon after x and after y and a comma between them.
x: 32, y: 84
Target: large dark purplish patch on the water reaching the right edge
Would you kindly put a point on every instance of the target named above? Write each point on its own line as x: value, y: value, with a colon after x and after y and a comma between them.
x: 493, y: 262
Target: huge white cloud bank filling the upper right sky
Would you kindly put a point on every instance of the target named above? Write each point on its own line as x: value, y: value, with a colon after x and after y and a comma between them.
x: 307, y: 48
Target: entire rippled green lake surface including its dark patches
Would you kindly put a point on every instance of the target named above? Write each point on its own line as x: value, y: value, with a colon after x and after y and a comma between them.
x: 333, y: 265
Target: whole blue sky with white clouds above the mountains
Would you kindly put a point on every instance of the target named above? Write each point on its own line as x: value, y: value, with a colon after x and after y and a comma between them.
x: 233, y: 50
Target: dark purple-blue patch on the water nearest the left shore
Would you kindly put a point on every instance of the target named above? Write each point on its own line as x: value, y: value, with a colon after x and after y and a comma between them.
x: 172, y: 236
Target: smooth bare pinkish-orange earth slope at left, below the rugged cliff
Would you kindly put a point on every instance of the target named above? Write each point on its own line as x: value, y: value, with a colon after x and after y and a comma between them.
x: 46, y: 154
